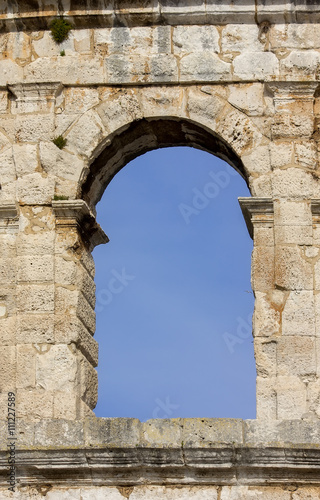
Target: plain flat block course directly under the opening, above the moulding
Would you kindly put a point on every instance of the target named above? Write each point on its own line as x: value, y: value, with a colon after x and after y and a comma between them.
x: 180, y: 433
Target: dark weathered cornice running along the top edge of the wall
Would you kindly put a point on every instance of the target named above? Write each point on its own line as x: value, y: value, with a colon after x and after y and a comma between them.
x: 38, y: 16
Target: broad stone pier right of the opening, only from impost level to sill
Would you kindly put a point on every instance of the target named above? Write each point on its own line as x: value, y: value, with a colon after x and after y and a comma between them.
x: 285, y: 268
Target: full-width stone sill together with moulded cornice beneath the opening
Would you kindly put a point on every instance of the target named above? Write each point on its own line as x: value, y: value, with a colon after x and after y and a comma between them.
x: 111, y: 451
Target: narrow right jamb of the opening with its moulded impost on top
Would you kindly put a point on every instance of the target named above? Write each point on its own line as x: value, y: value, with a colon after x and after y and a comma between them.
x: 259, y: 216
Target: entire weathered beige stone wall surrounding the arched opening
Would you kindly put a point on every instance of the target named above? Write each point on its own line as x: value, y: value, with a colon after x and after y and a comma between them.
x: 239, y: 79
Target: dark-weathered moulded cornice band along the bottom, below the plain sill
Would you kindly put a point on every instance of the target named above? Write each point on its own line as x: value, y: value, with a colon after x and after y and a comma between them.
x: 226, y: 465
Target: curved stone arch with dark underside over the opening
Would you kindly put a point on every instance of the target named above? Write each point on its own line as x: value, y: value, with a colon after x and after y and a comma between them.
x: 129, y: 122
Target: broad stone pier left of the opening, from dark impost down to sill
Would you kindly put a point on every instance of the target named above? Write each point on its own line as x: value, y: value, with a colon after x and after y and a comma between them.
x: 47, y: 317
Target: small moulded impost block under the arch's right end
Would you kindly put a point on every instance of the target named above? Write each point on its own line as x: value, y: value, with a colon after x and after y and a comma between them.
x: 256, y: 211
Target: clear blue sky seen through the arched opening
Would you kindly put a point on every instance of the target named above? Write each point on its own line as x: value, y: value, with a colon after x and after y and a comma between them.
x: 174, y: 301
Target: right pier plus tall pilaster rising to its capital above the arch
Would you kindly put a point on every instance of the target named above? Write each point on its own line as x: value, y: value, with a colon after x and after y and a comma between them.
x: 285, y: 263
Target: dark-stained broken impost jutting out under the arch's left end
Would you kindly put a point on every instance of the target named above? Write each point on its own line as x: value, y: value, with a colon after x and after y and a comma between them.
x: 76, y: 213
